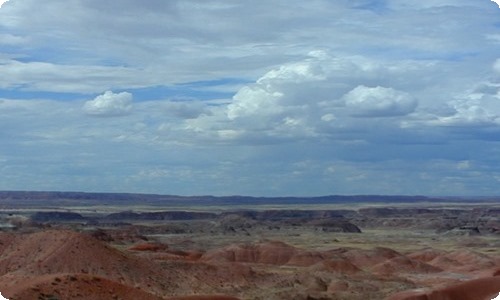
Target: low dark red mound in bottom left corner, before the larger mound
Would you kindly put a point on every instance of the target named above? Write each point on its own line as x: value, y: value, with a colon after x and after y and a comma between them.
x: 74, y: 287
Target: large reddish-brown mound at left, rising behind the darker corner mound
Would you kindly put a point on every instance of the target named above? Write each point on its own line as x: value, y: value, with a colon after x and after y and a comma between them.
x: 52, y: 252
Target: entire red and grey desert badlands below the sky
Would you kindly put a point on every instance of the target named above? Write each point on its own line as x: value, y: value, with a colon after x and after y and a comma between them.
x: 96, y: 246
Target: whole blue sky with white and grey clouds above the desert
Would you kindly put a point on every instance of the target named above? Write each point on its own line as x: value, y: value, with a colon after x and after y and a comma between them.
x: 251, y: 97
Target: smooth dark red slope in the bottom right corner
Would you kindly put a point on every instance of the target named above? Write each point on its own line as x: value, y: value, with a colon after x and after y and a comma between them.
x: 477, y: 289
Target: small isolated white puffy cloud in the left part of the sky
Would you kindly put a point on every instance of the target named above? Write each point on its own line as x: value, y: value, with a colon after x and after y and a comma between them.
x: 109, y: 104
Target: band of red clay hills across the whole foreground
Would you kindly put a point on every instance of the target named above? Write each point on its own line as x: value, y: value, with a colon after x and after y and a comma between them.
x: 70, y: 265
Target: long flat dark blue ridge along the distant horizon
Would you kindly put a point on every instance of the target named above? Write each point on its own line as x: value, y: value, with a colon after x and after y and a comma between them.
x: 89, y: 198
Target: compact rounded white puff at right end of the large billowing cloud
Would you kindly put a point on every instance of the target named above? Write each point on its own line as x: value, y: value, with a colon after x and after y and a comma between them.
x: 379, y: 101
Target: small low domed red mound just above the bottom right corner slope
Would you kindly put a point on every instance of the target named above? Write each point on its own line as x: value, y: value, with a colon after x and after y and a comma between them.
x: 403, y: 264
